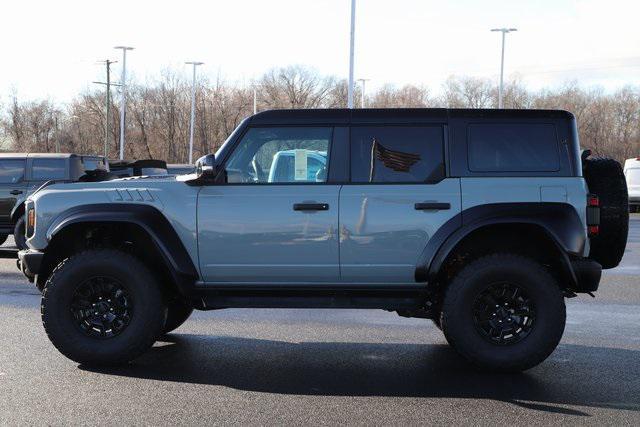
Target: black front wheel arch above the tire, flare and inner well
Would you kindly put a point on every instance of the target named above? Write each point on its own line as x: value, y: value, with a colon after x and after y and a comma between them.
x: 139, y: 228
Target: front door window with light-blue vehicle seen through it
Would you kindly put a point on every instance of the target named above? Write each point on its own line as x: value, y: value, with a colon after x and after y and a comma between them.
x: 281, y: 155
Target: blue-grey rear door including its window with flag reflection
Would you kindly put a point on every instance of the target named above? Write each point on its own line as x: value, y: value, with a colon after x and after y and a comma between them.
x: 398, y: 197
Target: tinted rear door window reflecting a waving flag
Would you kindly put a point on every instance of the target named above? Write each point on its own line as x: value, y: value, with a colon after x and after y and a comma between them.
x: 397, y: 154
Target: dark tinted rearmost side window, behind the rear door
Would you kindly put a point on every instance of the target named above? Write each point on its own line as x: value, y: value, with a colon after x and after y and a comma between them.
x: 513, y: 148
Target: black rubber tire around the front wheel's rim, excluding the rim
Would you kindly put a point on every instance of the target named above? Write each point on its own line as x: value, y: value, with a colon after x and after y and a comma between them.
x: 147, y: 314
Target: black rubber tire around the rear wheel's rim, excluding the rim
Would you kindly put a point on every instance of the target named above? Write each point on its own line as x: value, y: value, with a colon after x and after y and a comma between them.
x: 463, y: 334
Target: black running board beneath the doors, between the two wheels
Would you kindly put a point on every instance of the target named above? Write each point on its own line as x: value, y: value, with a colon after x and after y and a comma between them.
x: 380, y: 296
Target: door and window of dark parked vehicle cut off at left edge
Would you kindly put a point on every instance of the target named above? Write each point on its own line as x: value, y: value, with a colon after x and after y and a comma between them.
x: 12, y: 188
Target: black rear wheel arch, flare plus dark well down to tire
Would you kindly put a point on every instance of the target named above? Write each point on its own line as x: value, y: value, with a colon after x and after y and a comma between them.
x: 549, y: 232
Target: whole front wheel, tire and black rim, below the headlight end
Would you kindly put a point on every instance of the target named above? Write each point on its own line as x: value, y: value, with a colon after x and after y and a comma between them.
x: 102, y: 307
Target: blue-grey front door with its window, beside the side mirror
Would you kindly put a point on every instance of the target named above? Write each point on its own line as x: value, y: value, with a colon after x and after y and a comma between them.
x: 276, y: 218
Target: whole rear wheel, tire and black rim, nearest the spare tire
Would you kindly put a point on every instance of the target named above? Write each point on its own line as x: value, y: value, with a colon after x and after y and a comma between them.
x: 504, y: 313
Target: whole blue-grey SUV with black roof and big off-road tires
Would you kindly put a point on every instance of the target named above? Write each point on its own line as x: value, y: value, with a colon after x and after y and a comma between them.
x: 481, y: 220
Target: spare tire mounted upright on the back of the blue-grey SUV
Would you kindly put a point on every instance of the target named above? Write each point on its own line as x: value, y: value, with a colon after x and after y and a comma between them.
x: 605, y: 178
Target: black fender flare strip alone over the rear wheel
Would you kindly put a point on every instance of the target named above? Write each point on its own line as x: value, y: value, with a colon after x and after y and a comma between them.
x: 559, y: 221
